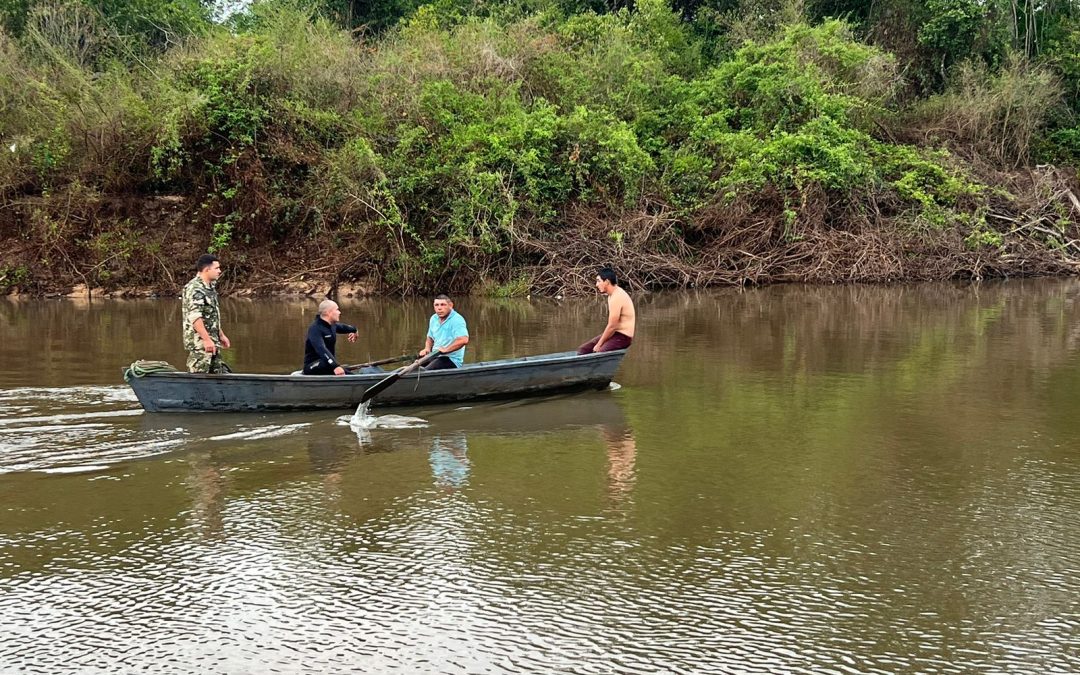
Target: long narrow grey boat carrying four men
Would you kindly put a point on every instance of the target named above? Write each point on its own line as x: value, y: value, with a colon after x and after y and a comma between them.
x: 524, y: 376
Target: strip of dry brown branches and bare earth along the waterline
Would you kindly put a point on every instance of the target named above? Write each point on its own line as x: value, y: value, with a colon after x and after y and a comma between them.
x: 145, y: 247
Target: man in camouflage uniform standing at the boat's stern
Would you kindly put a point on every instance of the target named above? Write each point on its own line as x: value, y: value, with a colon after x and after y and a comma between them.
x: 204, y: 337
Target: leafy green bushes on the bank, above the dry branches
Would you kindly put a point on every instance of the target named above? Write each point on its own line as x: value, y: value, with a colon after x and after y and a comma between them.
x: 448, y: 147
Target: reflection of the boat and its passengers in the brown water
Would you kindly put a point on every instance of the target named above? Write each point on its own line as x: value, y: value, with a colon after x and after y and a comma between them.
x: 229, y: 456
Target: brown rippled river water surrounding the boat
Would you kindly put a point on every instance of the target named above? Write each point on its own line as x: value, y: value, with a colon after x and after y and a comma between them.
x: 788, y: 480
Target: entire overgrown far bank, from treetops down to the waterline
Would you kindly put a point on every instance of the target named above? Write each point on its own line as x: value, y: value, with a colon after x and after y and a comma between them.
x: 510, y: 147
